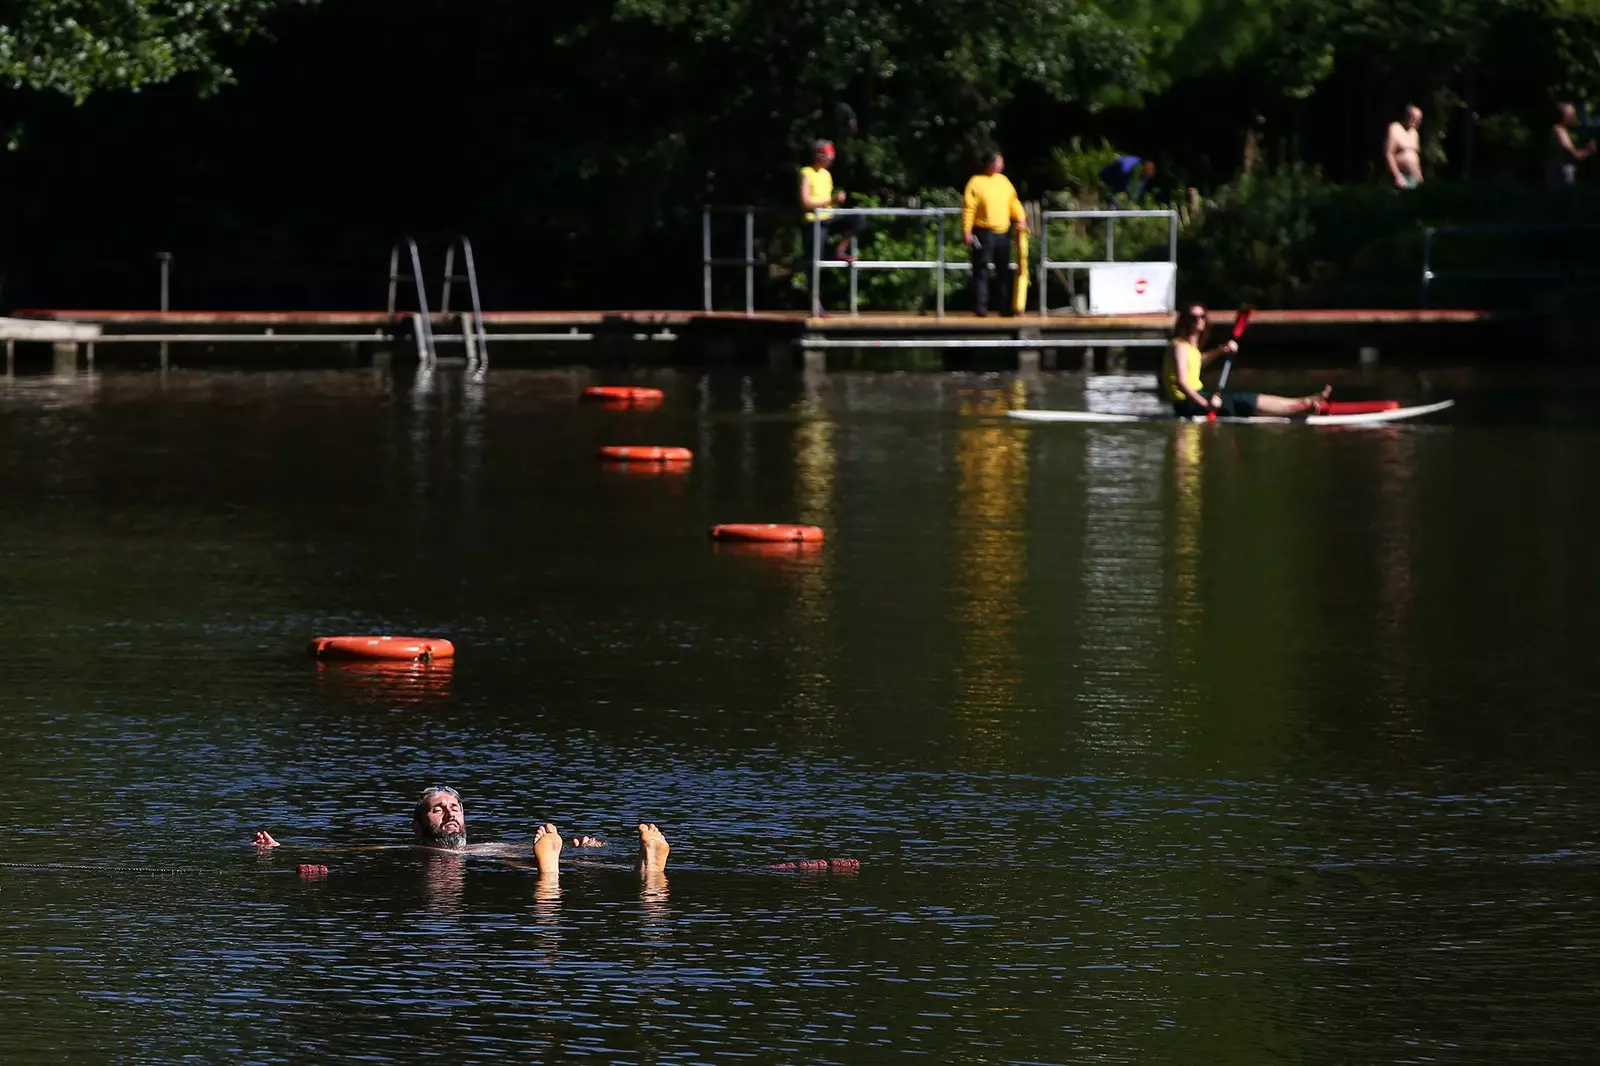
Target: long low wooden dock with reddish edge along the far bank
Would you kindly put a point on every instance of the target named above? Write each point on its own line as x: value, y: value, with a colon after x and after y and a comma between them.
x: 695, y: 335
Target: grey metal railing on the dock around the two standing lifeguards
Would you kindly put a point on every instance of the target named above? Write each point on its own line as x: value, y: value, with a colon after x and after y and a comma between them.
x: 938, y: 223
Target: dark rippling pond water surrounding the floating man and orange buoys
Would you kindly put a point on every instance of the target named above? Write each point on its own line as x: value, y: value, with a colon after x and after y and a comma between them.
x: 1156, y: 743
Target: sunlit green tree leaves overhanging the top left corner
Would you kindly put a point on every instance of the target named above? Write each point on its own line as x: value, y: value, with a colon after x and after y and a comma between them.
x: 81, y: 47
